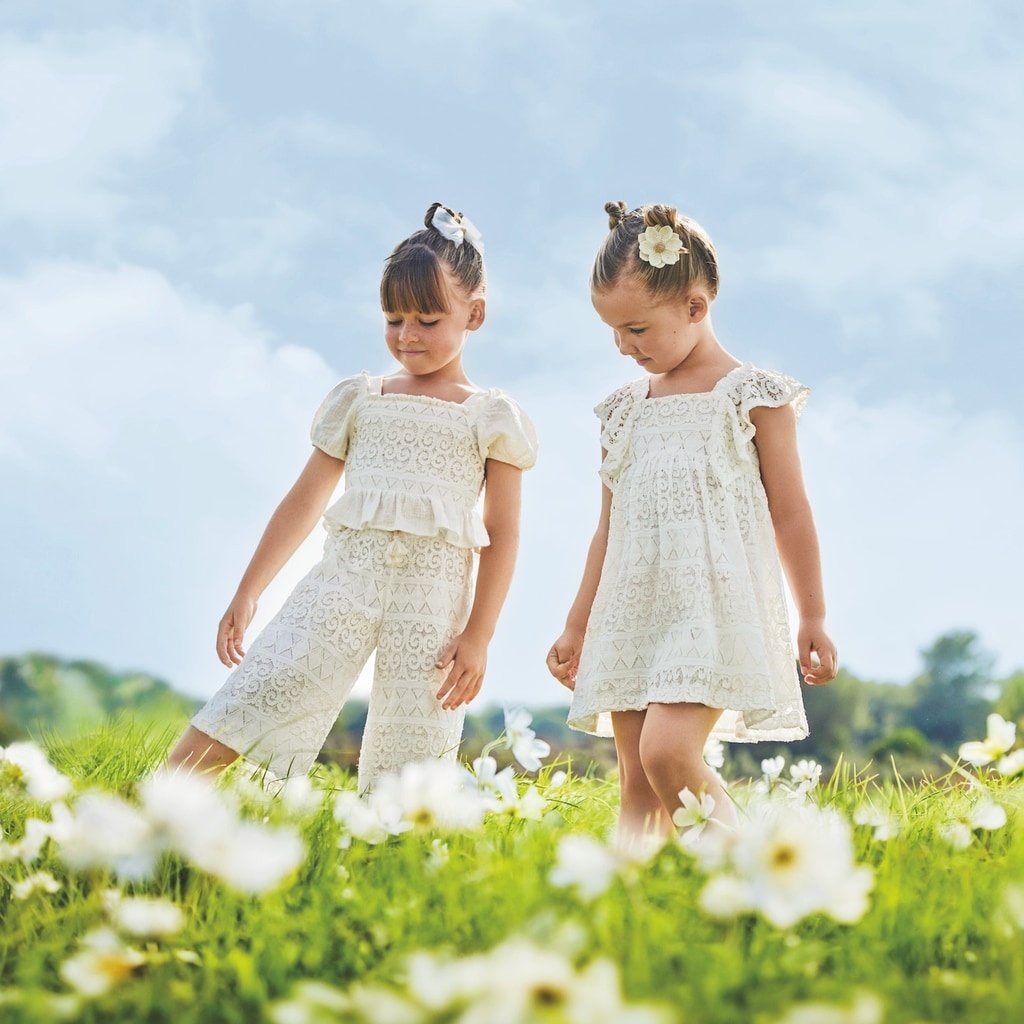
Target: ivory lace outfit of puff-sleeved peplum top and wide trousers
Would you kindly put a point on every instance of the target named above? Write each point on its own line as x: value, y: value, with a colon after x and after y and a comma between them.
x: 397, y: 577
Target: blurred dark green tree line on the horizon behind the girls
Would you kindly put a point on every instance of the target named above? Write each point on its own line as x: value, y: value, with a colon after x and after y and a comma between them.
x: 914, y: 726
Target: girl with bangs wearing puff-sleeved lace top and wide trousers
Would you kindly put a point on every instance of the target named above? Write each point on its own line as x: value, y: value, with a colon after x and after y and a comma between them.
x: 416, y: 448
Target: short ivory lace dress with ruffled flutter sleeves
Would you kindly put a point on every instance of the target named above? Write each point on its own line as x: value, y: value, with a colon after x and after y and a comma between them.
x: 692, y: 605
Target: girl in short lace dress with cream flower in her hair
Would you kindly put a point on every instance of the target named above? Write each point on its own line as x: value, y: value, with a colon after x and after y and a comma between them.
x: 680, y: 630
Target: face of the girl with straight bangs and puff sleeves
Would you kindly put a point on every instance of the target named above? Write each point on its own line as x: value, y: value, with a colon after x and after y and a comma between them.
x: 432, y: 345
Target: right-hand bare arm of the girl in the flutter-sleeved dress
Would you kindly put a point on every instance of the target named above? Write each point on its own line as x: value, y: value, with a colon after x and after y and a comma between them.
x: 796, y: 536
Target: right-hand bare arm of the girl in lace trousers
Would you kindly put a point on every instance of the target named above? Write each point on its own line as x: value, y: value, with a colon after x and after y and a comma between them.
x: 467, y: 654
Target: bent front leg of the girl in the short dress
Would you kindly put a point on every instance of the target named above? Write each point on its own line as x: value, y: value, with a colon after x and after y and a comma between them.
x: 672, y: 754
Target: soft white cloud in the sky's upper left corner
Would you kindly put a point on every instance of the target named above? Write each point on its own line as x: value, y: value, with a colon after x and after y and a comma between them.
x: 76, y: 112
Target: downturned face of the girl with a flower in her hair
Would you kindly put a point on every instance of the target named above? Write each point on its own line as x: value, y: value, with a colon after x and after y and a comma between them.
x: 658, y: 336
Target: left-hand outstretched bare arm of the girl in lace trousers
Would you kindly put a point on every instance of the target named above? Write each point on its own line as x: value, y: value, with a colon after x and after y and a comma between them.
x: 289, y: 527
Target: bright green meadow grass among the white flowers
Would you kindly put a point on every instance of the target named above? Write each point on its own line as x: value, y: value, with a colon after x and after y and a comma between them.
x: 937, y: 944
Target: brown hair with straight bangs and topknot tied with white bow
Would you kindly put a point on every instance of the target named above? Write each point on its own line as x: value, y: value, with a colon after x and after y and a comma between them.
x: 413, y: 278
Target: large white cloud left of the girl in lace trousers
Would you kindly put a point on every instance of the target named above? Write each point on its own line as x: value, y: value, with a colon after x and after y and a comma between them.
x: 146, y: 437
